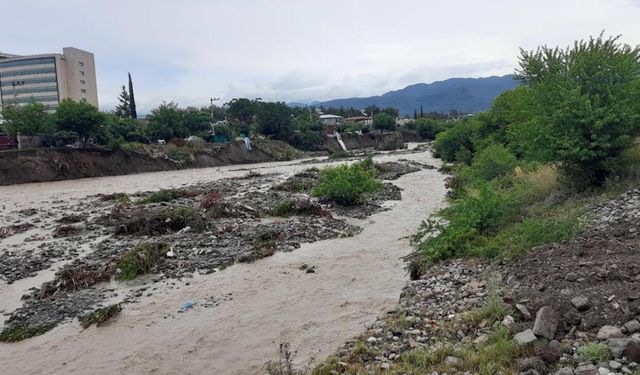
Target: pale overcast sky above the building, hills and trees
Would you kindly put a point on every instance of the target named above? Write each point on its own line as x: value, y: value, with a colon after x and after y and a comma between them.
x: 299, y: 50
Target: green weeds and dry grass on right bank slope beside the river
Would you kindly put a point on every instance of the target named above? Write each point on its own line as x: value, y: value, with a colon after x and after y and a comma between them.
x: 506, y: 215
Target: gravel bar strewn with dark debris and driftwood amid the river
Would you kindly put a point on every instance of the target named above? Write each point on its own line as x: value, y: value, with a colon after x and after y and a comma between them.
x: 168, y: 235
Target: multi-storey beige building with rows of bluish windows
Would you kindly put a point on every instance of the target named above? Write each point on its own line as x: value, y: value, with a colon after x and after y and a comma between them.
x: 48, y: 79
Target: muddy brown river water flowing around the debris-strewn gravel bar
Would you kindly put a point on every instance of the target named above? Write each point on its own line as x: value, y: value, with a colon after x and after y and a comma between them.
x: 356, y: 279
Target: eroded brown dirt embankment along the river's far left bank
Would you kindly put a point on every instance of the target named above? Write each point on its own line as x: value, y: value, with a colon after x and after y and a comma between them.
x: 41, y: 165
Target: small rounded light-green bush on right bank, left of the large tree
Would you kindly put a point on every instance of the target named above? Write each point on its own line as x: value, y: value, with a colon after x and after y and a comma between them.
x: 493, y: 161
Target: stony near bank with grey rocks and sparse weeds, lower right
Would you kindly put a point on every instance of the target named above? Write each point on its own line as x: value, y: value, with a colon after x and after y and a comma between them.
x: 568, y: 308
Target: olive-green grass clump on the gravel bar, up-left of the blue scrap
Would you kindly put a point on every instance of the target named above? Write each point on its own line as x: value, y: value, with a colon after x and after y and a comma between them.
x: 140, y: 260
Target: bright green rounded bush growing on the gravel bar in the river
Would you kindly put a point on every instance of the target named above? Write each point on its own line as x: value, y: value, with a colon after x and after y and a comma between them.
x: 346, y: 184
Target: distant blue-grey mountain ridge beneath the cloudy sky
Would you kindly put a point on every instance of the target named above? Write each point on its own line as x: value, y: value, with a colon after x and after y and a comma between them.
x: 463, y: 94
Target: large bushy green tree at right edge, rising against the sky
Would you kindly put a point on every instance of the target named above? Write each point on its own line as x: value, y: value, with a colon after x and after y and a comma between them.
x: 579, y: 106
